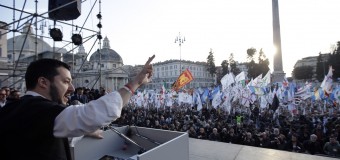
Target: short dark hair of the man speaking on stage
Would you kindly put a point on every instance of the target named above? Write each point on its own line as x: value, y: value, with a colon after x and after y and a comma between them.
x: 42, y: 68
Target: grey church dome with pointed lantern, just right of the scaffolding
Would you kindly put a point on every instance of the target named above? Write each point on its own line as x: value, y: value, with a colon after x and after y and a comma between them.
x: 107, y: 54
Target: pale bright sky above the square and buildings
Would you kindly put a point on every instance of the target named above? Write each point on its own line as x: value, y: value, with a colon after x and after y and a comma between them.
x: 137, y: 29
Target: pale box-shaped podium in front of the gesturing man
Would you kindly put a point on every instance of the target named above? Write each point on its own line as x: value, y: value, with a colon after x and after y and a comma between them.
x: 157, y: 144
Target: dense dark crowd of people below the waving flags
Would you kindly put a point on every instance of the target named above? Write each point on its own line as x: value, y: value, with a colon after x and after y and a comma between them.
x: 313, y: 133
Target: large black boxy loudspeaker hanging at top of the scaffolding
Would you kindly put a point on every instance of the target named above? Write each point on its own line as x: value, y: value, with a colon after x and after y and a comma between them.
x: 68, y: 12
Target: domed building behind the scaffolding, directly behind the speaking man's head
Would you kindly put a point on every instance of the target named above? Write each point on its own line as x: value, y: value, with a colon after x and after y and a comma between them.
x: 23, y: 49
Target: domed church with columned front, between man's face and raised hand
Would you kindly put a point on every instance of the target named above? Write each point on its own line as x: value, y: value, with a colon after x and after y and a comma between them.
x: 104, y: 69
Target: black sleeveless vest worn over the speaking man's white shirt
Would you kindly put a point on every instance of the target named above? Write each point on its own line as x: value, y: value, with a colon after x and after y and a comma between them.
x: 26, y: 130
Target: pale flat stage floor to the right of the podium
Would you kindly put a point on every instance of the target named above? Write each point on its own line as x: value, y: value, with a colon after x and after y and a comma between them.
x: 210, y: 150
